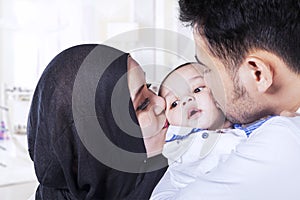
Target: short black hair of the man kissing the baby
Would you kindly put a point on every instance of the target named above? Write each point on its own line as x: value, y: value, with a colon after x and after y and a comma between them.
x: 233, y: 28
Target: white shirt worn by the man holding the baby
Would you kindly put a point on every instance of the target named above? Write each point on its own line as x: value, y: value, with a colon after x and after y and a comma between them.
x: 266, y: 166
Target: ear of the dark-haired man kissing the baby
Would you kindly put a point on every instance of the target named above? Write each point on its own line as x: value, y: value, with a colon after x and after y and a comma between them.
x: 261, y: 72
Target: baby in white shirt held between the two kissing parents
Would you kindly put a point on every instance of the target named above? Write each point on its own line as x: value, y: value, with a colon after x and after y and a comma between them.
x: 191, y: 151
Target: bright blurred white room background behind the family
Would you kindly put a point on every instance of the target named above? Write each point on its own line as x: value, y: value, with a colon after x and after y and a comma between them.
x: 32, y: 32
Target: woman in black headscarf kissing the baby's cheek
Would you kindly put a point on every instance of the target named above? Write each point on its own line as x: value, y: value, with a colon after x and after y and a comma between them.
x: 83, y: 132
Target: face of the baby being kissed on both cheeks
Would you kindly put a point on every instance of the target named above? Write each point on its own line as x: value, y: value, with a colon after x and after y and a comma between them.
x: 188, y: 100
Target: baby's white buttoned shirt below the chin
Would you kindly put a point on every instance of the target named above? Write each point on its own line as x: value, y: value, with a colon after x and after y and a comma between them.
x: 198, y: 152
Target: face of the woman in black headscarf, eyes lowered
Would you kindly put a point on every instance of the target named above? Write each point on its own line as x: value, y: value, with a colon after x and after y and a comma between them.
x: 148, y: 106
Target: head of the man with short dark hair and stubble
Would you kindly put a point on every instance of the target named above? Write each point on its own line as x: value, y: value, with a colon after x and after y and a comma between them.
x: 251, y: 47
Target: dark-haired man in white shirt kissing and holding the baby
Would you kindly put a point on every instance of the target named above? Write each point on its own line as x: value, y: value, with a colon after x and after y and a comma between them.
x: 250, y: 52
